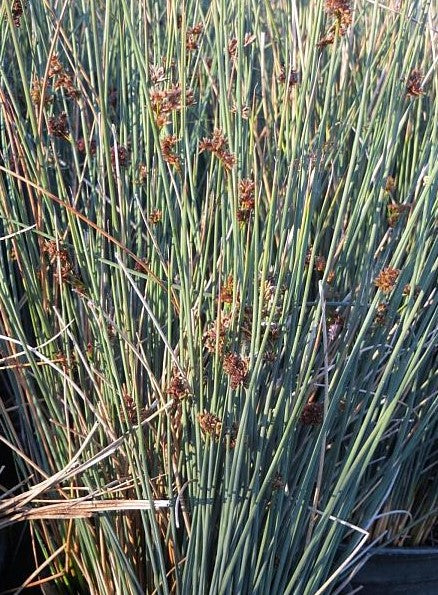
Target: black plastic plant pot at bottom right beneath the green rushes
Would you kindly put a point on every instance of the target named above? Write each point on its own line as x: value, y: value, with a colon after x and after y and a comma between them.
x: 412, y: 571
